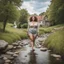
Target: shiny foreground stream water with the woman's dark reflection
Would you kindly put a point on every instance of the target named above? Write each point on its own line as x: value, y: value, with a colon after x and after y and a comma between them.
x: 35, y: 57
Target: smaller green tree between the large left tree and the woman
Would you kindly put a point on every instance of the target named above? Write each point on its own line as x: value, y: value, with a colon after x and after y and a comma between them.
x: 23, y: 17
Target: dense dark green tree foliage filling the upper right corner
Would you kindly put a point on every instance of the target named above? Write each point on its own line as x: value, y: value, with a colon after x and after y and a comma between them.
x: 55, y: 12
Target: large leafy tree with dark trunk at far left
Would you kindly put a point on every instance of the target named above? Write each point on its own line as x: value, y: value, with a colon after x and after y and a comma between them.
x: 9, y: 11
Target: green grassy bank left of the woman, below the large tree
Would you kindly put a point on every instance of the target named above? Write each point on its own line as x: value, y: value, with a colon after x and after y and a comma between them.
x: 12, y: 34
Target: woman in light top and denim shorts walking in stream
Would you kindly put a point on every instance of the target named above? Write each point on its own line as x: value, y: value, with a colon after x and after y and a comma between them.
x: 33, y: 30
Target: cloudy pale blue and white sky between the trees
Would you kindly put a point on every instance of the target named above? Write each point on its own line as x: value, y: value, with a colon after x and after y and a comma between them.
x: 35, y: 6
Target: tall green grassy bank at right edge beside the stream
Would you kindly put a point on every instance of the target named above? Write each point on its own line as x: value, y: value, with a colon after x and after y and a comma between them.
x: 55, y: 41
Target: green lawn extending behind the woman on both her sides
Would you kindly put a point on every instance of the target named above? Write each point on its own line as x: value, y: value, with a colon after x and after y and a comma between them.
x: 13, y: 34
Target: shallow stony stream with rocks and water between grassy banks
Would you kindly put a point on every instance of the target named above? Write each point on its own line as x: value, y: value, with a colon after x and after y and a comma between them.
x: 20, y: 53
